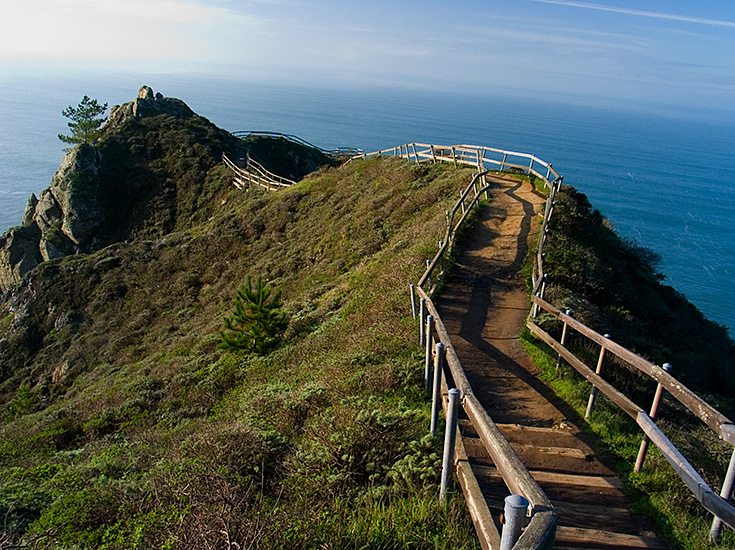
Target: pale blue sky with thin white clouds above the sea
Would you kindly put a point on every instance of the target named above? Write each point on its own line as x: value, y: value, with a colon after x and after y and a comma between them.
x: 676, y: 54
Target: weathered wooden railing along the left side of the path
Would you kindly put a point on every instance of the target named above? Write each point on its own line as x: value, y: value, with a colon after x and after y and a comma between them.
x: 540, y: 532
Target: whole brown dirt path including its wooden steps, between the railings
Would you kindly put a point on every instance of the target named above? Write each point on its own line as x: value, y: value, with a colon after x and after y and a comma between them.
x: 484, y: 307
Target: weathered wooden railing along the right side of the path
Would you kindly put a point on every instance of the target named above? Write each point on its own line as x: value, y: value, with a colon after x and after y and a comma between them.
x: 721, y: 425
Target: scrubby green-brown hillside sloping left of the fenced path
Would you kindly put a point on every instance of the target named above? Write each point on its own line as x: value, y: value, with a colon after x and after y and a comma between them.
x: 125, y: 426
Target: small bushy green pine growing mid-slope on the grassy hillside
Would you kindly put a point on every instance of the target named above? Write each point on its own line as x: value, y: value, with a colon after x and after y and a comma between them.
x: 257, y: 322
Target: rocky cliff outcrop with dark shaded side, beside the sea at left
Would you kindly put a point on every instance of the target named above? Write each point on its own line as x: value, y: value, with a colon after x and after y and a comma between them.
x: 143, y: 177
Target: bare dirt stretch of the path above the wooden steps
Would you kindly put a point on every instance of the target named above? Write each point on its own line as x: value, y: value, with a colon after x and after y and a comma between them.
x: 485, y: 305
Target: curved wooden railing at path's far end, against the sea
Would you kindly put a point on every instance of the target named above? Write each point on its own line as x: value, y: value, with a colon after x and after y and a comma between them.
x: 473, y: 155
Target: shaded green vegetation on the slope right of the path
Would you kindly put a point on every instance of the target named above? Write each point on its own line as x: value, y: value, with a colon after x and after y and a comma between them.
x: 612, y: 286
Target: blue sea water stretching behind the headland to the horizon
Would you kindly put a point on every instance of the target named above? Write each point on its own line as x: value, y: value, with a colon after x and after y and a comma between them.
x: 668, y: 183
